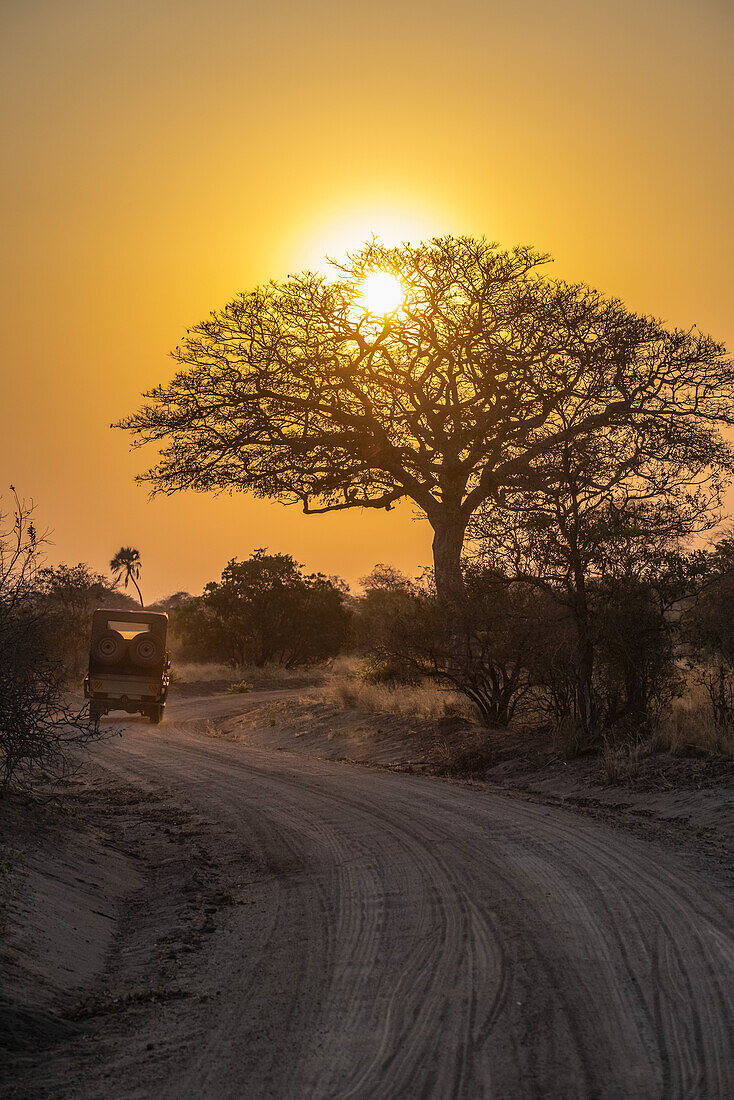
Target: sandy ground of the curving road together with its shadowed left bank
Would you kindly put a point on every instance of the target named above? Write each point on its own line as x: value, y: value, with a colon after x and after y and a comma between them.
x: 261, y: 923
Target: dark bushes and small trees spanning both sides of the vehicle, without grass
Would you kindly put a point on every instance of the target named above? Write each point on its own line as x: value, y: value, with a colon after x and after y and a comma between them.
x: 587, y: 619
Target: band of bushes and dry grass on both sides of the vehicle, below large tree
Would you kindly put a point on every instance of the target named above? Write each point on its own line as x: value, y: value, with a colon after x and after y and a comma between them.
x: 610, y: 639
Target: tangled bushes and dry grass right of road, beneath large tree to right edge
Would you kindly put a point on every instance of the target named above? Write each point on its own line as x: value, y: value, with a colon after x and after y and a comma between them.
x: 653, y: 666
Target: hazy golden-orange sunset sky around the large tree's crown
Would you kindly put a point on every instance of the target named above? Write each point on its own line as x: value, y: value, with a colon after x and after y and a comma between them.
x: 161, y: 157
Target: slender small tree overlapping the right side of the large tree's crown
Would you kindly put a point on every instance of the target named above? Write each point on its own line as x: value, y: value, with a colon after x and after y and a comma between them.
x: 595, y: 533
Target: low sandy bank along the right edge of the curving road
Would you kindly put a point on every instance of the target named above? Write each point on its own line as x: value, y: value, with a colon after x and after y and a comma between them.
x: 688, y: 799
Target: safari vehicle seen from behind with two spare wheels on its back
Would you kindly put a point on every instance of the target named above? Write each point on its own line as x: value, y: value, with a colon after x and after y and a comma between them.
x: 128, y: 664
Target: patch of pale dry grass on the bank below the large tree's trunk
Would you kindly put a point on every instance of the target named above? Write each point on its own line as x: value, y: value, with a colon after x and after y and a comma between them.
x: 345, y: 688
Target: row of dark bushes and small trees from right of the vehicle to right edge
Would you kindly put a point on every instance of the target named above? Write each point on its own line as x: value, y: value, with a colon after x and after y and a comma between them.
x: 604, y: 644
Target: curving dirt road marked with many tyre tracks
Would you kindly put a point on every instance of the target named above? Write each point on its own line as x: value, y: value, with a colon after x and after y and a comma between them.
x: 398, y: 937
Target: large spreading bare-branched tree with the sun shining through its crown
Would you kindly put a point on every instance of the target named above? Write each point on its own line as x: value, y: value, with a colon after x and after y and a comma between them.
x: 298, y: 392
